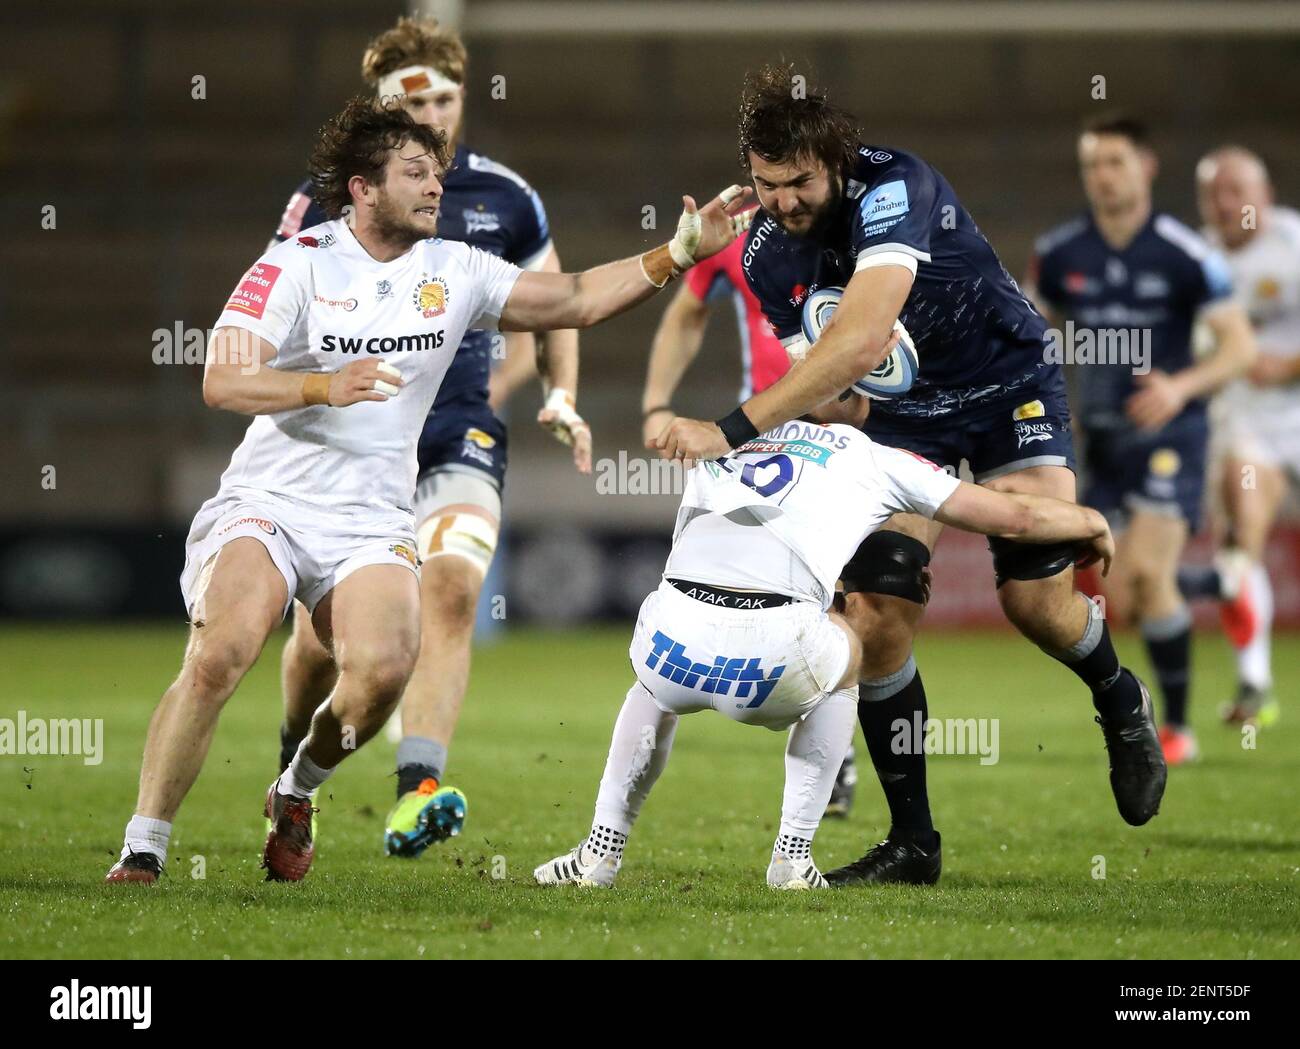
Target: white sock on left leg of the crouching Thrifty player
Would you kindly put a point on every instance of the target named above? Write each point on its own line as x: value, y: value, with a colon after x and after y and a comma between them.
x: 639, y: 752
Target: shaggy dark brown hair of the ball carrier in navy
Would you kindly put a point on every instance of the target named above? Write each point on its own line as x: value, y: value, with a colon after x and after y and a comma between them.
x: 783, y: 120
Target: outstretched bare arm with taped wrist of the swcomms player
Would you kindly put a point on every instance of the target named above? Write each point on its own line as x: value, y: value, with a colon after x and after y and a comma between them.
x: 548, y: 301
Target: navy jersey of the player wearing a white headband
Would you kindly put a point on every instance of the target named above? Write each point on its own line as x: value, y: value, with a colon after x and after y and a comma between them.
x: 484, y: 205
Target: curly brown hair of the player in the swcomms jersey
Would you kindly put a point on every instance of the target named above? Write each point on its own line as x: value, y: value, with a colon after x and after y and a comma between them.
x: 357, y: 142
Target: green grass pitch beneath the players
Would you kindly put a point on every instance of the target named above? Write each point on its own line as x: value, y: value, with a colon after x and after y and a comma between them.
x: 1216, y: 875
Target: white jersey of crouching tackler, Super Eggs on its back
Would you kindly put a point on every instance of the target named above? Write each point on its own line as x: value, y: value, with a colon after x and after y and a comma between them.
x: 786, y: 512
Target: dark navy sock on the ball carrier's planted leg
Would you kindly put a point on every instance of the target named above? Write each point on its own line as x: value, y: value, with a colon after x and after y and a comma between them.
x: 903, y: 777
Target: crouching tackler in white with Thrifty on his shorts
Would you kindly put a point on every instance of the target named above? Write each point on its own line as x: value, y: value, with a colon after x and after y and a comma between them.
x: 742, y: 622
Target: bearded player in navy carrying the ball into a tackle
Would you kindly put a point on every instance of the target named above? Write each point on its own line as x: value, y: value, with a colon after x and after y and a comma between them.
x: 890, y: 229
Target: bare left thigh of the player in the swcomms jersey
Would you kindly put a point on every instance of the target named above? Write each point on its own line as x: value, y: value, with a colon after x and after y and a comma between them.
x: 239, y: 601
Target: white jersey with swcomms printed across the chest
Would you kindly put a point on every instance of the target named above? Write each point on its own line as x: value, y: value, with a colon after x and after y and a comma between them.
x: 324, y: 302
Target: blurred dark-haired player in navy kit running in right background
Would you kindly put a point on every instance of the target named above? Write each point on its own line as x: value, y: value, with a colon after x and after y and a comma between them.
x: 1136, y: 280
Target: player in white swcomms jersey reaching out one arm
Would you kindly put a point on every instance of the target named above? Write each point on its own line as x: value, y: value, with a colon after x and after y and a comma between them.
x: 337, y: 343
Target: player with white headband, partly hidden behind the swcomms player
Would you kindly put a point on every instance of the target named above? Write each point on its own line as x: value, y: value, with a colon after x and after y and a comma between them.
x: 463, y: 447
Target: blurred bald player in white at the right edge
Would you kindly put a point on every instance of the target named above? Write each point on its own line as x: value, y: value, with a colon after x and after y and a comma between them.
x: 1256, y: 421
